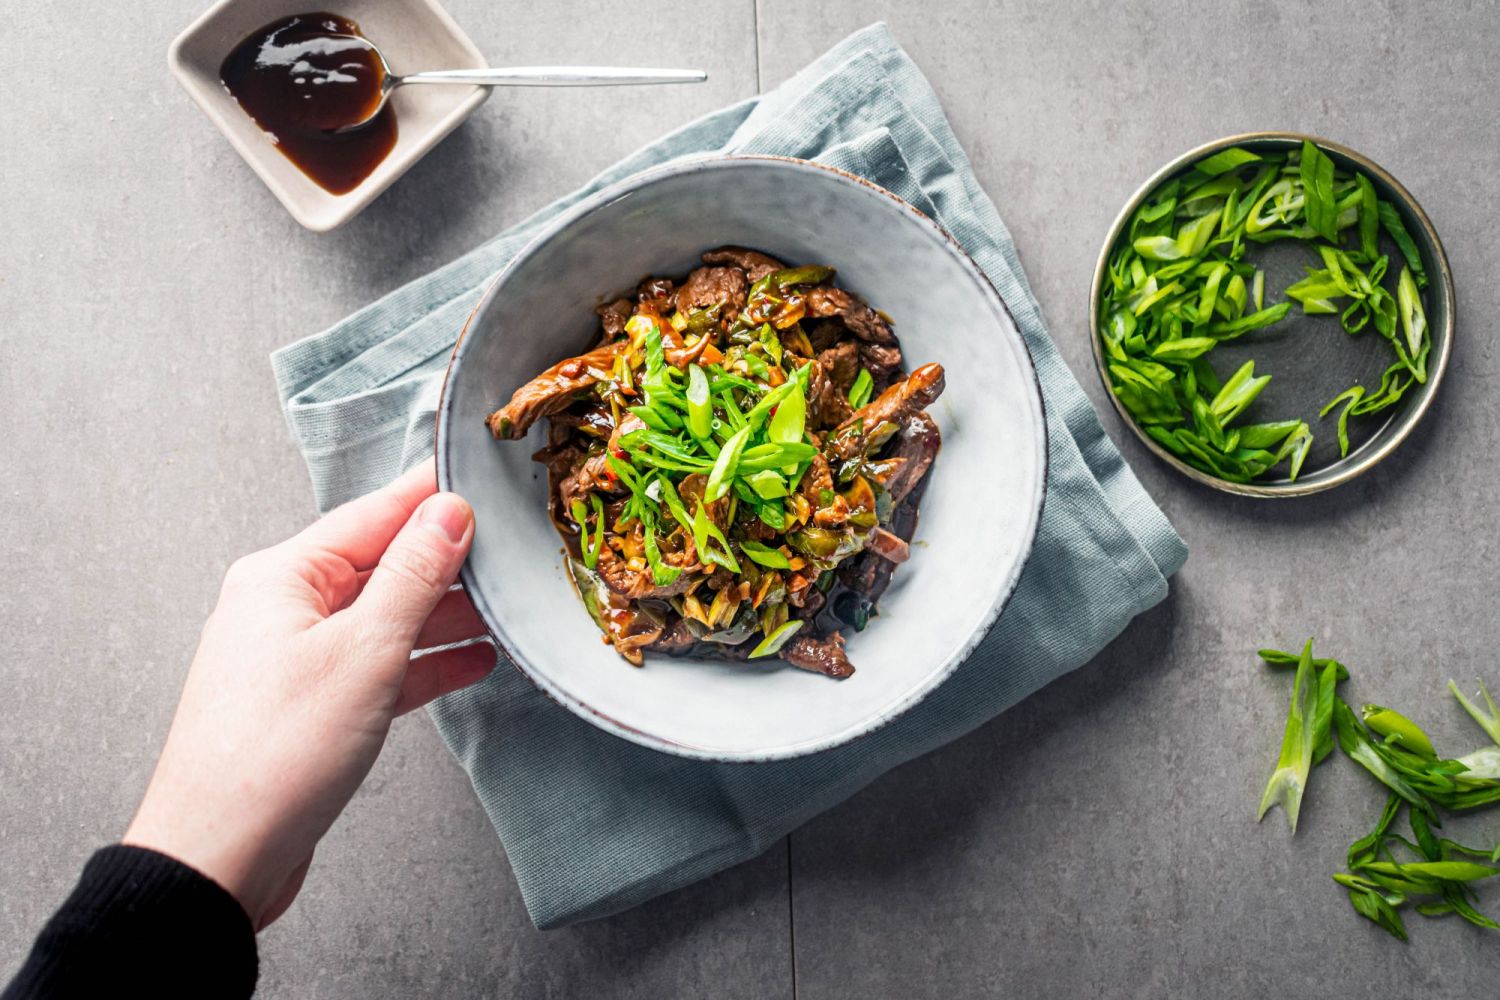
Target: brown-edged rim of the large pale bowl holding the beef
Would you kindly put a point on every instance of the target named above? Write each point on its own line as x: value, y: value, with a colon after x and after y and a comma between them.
x: 892, y: 711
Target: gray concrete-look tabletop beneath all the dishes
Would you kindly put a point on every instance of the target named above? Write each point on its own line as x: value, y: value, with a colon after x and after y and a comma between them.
x: 1099, y: 840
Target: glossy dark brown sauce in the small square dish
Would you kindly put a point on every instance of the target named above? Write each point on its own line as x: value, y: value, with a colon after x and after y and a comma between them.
x: 304, y: 77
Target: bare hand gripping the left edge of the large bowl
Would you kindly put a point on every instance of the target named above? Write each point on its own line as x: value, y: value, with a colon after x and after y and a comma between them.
x: 299, y: 674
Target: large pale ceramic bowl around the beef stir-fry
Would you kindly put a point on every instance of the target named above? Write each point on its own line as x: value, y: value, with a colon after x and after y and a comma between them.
x: 977, y: 519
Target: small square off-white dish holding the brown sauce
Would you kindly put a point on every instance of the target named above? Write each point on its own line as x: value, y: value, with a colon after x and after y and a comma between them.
x: 413, y: 35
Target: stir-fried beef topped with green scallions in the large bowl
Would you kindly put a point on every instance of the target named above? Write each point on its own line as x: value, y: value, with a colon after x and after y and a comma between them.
x: 746, y: 525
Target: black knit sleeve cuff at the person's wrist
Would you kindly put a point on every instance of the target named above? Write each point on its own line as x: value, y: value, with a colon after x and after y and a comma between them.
x: 142, y: 924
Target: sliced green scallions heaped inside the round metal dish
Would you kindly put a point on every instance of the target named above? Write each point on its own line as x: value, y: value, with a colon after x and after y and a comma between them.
x: 1180, y: 284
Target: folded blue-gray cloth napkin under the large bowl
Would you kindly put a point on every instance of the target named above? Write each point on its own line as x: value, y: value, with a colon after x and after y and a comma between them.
x: 593, y: 824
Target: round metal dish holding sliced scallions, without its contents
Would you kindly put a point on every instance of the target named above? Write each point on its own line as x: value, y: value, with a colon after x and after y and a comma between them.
x: 1310, y: 358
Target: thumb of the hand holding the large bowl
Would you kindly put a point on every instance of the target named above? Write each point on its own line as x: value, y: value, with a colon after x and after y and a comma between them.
x: 418, y: 567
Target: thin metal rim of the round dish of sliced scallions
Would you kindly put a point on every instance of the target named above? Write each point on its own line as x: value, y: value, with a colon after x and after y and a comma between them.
x: 1379, y: 448
